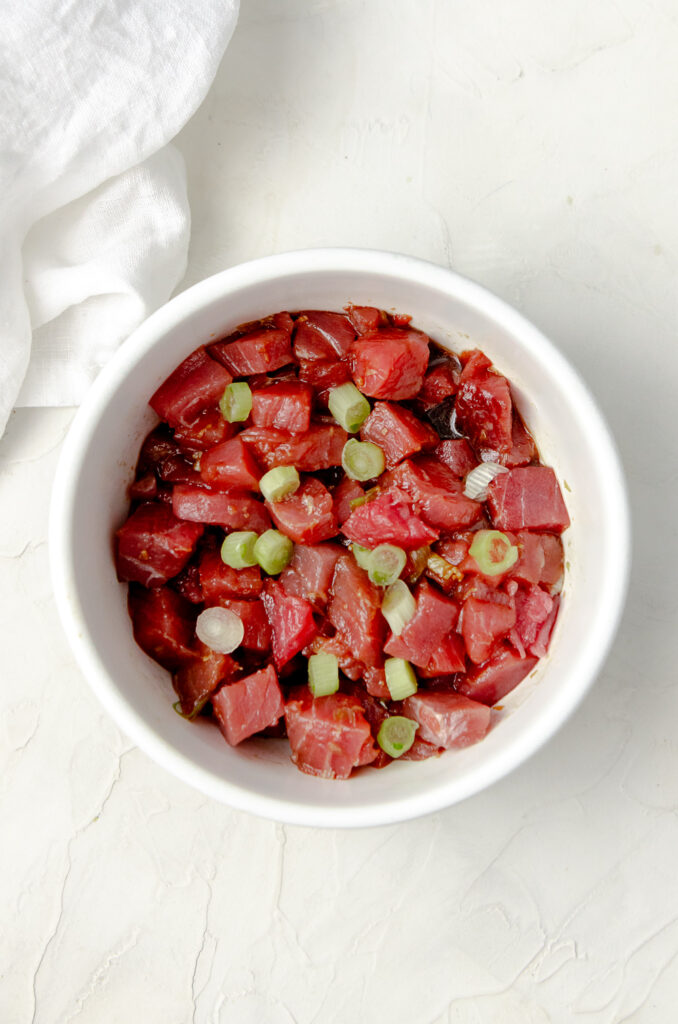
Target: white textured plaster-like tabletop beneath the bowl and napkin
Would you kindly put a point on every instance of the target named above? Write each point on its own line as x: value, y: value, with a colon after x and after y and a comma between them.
x: 533, y: 147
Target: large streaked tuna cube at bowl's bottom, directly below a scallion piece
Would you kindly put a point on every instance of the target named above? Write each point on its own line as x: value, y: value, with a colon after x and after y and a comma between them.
x: 329, y: 736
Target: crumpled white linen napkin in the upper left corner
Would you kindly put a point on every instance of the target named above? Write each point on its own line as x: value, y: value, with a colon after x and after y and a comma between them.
x: 95, y: 221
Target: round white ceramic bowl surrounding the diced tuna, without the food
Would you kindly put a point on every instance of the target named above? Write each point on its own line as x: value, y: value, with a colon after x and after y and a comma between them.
x: 90, y: 502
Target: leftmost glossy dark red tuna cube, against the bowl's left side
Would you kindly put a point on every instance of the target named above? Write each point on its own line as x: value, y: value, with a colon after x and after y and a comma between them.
x: 154, y: 545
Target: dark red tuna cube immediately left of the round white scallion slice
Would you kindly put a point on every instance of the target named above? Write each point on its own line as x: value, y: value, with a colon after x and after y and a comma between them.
x: 163, y: 625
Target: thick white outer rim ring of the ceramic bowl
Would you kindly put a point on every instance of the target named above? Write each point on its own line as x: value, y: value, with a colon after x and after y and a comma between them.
x: 144, y: 338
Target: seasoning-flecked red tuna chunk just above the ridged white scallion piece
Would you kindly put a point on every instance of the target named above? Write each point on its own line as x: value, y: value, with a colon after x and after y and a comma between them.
x: 485, y: 411
